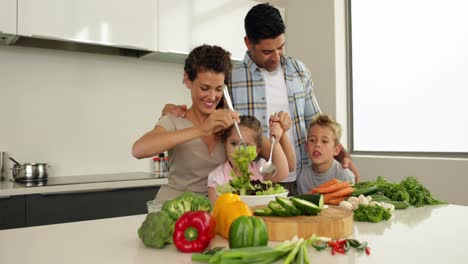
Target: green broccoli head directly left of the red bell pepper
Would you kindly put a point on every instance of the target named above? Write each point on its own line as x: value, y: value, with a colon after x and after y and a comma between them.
x: 157, y: 229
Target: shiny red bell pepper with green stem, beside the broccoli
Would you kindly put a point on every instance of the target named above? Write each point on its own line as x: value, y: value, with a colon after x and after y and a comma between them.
x: 193, y: 231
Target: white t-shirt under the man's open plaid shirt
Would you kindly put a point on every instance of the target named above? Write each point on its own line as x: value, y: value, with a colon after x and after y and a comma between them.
x: 277, y: 100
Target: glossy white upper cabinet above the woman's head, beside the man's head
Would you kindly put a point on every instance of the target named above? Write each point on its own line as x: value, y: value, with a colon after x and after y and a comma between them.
x: 185, y: 24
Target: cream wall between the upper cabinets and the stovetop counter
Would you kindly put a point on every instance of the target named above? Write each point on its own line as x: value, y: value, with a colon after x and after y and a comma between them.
x: 81, y: 112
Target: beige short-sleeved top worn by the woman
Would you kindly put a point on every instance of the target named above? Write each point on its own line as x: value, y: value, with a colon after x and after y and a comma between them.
x: 190, y: 162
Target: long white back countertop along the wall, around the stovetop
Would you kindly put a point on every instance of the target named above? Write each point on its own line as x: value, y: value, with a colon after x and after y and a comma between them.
x: 9, y: 188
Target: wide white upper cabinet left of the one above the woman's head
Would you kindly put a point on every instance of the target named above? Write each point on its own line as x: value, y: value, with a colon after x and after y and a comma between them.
x: 122, y: 23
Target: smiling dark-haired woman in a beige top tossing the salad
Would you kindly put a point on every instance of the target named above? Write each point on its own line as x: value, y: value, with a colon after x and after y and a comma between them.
x: 193, y: 142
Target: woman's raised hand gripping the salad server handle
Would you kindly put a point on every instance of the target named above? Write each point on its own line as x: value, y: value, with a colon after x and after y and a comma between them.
x: 218, y: 120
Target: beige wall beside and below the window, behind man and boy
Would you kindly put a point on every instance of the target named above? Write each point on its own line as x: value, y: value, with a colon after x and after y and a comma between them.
x: 316, y: 35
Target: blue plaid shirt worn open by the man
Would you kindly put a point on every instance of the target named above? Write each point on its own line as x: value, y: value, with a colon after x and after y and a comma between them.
x: 247, y: 90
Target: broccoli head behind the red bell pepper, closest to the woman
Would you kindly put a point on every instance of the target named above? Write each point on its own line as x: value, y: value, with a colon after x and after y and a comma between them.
x: 188, y: 201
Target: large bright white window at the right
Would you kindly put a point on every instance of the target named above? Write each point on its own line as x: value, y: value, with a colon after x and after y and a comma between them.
x: 408, y: 76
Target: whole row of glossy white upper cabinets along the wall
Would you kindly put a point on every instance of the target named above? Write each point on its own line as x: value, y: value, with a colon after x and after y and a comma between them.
x: 163, y: 29
